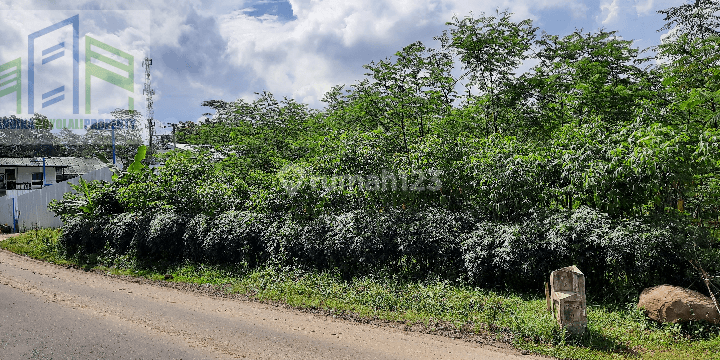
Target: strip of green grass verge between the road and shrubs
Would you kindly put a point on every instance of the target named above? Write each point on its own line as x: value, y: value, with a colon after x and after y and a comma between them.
x: 613, y: 332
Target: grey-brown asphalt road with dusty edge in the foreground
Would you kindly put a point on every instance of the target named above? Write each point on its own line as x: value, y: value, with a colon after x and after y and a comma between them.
x: 50, y: 312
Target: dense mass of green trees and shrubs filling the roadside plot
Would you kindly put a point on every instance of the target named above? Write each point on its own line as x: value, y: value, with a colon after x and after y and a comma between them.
x: 596, y: 157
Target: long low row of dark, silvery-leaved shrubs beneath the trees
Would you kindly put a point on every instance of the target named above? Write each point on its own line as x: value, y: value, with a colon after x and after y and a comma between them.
x: 619, y: 258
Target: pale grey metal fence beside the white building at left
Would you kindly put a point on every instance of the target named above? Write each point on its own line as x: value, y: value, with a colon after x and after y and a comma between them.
x: 31, y: 211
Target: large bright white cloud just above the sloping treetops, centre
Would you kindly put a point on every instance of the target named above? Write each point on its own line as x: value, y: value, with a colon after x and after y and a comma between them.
x: 330, y: 40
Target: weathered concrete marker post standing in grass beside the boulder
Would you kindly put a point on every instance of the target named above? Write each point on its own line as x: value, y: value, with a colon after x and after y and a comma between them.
x: 566, y: 299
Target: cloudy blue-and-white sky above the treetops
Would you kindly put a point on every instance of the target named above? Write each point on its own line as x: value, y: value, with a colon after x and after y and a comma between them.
x: 225, y: 50
